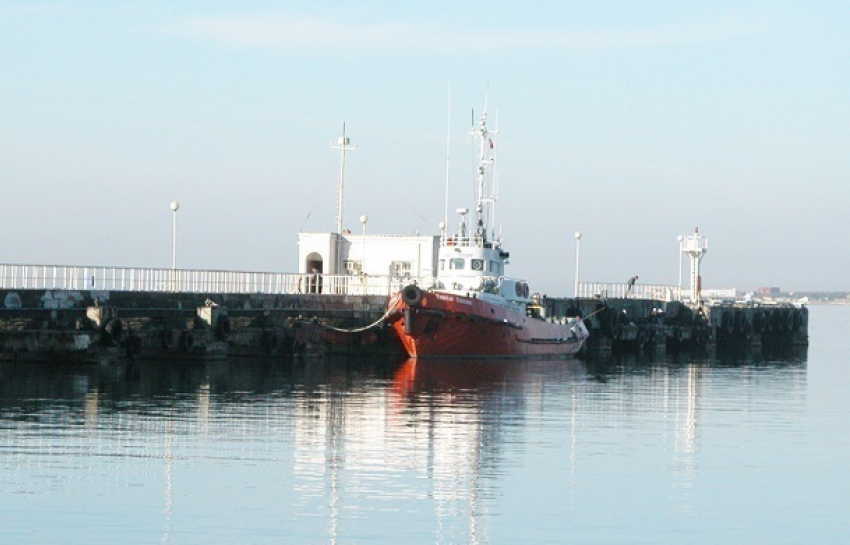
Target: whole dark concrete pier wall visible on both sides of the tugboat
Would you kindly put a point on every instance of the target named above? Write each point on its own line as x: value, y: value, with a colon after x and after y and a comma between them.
x: 93, y: 326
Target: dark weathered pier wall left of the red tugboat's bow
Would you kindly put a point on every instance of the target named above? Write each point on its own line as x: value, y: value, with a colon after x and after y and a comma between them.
x: 96, y: 325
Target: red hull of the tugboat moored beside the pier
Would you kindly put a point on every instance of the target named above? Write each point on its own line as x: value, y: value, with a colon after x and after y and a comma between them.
x: 445, y: 325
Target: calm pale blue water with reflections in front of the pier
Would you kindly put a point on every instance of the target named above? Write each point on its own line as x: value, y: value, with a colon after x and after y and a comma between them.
x: 674, y: 450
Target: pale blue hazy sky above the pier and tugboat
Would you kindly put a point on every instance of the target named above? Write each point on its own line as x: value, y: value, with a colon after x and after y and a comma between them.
x: 632, y: 122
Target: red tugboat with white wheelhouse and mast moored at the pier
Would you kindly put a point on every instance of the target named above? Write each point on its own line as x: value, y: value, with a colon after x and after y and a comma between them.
x: 473, y: 310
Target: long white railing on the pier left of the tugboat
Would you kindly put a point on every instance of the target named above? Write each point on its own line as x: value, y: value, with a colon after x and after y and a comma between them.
x: 74, y: 278
